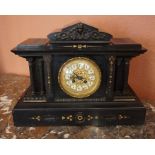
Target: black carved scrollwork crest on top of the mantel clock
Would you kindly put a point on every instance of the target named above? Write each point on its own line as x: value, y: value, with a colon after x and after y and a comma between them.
x: 79, y: 32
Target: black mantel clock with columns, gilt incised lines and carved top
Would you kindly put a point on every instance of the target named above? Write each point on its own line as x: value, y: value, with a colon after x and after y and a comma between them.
x: 79, y: 76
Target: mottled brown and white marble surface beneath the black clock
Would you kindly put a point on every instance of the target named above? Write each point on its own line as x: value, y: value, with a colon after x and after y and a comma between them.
x: 12, y: 87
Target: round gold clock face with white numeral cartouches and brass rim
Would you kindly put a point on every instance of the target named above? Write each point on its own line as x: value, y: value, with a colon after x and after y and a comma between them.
x: 79, y: 77
